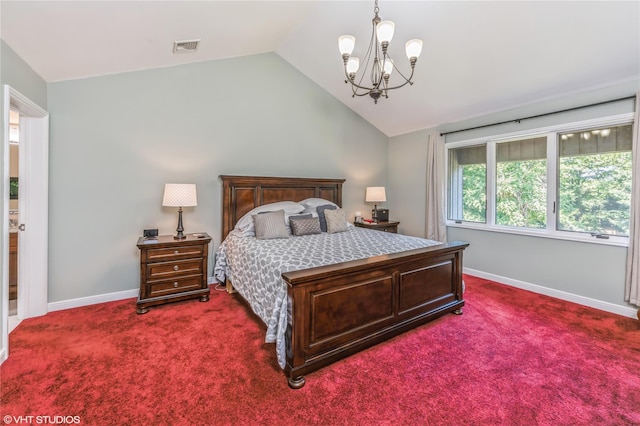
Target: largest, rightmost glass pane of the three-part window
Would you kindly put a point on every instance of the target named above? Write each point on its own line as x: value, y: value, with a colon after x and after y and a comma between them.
x: 595, y: 180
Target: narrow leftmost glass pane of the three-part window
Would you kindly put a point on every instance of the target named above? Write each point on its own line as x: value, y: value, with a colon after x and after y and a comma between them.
x: 468, y: 189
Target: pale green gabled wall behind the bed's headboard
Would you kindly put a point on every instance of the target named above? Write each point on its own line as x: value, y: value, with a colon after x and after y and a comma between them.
x: 116, y: 140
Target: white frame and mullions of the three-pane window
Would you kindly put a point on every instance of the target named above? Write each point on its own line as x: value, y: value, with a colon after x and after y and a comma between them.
x: 551, y: 133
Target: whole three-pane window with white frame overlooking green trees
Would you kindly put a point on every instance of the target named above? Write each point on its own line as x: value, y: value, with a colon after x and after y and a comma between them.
x: 568, y: 181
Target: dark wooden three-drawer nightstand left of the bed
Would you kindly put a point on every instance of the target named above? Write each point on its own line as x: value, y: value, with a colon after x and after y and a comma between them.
x: 172, y: 270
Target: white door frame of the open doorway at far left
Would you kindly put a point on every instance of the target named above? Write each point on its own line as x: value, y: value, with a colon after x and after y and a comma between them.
x: 33, y: 206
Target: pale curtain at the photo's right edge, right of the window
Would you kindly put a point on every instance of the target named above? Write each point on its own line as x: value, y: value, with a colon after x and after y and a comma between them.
x: 632, y: 282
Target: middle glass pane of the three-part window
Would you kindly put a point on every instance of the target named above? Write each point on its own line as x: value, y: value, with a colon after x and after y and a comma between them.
x: 521, y: 183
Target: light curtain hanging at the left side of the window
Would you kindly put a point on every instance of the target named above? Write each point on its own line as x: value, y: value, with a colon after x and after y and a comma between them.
x: 435, y: 208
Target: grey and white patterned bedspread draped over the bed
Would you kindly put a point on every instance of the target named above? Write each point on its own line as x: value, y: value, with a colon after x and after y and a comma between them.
x: 255, y: 266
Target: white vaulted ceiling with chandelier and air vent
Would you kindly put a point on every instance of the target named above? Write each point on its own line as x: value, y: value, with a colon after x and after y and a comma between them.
x: 478, y: 56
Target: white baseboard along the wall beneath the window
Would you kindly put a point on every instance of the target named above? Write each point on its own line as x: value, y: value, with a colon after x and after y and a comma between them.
x: 569, y: 297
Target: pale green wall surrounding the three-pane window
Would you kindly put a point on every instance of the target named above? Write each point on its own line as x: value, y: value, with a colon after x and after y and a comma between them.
x: 586, y: 270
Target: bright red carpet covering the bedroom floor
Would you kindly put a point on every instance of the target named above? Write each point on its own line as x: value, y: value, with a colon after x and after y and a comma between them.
x: 513, y: 358
